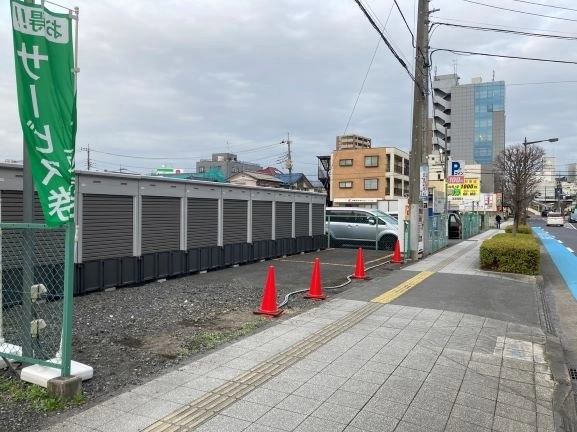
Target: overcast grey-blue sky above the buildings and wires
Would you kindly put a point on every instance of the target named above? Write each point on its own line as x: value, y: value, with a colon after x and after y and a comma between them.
x: 170, y: 82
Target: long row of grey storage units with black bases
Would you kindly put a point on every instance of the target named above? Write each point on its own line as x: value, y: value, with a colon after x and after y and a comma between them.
x: 132, y: 228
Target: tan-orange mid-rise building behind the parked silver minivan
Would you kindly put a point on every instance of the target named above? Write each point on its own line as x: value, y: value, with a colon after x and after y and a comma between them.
x: 361, y: 176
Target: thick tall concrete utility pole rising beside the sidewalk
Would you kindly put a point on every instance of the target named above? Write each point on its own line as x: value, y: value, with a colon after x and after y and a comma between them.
x: 420, y: 110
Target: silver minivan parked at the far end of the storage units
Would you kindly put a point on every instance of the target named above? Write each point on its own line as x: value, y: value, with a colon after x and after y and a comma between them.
x: 361, y: 226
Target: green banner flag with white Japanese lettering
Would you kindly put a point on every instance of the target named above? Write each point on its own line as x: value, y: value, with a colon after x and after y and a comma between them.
x: 45, y: 78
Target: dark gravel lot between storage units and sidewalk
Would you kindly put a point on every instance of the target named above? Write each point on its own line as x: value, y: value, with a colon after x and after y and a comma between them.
x: 134, y: 334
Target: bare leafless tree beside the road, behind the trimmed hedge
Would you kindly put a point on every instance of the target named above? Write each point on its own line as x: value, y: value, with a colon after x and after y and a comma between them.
x: 519, y: 167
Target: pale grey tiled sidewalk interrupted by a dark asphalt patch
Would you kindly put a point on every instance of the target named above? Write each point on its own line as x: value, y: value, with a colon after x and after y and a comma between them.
x: 352, y: 365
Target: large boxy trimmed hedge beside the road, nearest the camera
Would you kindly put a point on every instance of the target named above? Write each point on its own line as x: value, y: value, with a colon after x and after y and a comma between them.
x: 511, y: 254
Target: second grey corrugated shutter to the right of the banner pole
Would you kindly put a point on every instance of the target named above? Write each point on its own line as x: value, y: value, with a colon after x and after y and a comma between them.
x: 160, y: 224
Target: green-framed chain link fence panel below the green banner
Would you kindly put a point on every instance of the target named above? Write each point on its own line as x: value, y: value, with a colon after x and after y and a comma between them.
x: 32, y: 267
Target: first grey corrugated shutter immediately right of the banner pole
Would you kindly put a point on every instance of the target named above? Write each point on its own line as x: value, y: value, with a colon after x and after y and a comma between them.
x: 107, y: 226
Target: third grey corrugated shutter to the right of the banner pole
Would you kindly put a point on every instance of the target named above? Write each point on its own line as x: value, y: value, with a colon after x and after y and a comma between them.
x: 202, y: 229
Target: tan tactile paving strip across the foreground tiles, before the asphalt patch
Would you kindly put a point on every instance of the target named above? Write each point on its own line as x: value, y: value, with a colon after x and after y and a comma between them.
x: 209, y: 405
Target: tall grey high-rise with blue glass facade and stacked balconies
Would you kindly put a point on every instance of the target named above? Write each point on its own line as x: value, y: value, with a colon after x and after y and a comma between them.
x: 469, y: 120
